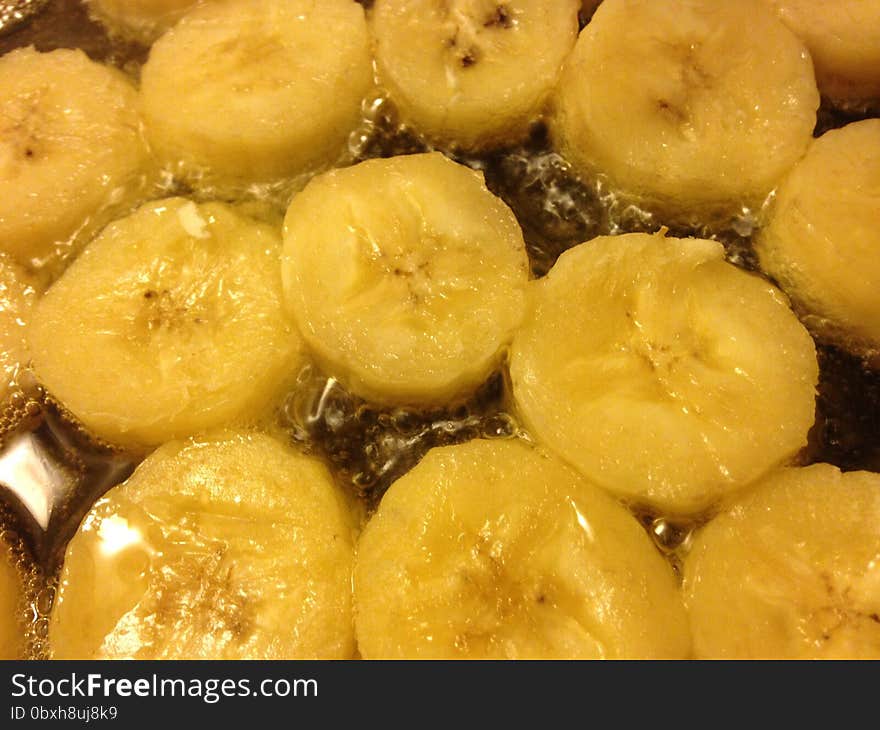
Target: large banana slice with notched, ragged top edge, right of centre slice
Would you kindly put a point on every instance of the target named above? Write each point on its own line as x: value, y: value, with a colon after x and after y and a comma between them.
x: 662, y: 372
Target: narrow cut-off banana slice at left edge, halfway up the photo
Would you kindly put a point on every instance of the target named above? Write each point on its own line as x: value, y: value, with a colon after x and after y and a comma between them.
x: 18, y: 292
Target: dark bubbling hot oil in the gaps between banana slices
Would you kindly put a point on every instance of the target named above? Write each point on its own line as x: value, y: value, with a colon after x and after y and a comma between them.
x: 368, y: 446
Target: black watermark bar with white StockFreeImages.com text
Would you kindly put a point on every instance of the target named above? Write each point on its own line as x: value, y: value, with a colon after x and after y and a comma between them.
x: 452, y: 695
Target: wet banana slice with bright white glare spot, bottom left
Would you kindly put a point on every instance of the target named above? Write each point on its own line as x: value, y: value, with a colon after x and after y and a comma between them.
x: 233, y: 548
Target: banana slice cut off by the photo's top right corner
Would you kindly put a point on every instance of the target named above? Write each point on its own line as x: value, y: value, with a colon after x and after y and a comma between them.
x: 844, y: 41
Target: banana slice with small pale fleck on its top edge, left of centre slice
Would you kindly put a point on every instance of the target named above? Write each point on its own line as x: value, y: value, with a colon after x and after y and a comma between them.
x: 169, y: 323
